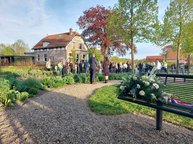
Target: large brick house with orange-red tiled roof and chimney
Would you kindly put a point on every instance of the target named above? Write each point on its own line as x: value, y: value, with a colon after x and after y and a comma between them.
x: 59, y: 47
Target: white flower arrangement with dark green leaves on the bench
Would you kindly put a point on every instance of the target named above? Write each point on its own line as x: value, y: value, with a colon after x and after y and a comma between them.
x: 146, y: 87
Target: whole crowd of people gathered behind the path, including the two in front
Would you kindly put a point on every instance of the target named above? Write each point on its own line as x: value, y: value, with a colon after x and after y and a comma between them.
x: 106, y: 66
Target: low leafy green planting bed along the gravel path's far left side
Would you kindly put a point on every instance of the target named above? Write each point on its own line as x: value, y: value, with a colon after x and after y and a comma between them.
x: 15, y: 87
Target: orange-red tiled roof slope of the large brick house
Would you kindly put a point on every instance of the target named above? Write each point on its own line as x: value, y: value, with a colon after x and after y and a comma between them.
x: 56, y: 40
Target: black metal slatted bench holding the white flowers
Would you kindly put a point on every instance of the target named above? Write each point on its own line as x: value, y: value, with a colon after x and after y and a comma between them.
x: 180, y: 86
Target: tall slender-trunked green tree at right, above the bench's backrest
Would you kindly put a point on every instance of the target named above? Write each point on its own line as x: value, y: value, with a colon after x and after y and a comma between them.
x: 177, y: 15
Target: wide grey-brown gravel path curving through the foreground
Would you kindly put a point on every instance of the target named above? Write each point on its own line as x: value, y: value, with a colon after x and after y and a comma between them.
x: 62, y: 116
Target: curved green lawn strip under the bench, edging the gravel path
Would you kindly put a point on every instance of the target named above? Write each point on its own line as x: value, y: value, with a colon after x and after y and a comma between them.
x: 104, y: 101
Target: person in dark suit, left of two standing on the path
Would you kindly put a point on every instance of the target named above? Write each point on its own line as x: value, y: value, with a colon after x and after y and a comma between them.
x: 93, y: 64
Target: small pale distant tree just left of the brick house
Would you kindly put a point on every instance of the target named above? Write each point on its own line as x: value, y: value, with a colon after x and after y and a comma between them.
x: 20, y: 47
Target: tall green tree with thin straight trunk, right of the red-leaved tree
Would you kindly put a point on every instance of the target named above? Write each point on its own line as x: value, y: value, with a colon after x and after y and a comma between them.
x: 134, y: 21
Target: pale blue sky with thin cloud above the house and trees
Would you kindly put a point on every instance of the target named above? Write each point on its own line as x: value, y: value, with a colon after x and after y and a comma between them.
x: 31, y: 20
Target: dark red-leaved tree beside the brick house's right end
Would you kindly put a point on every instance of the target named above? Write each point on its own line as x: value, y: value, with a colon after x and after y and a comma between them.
x: 94, y: 24
